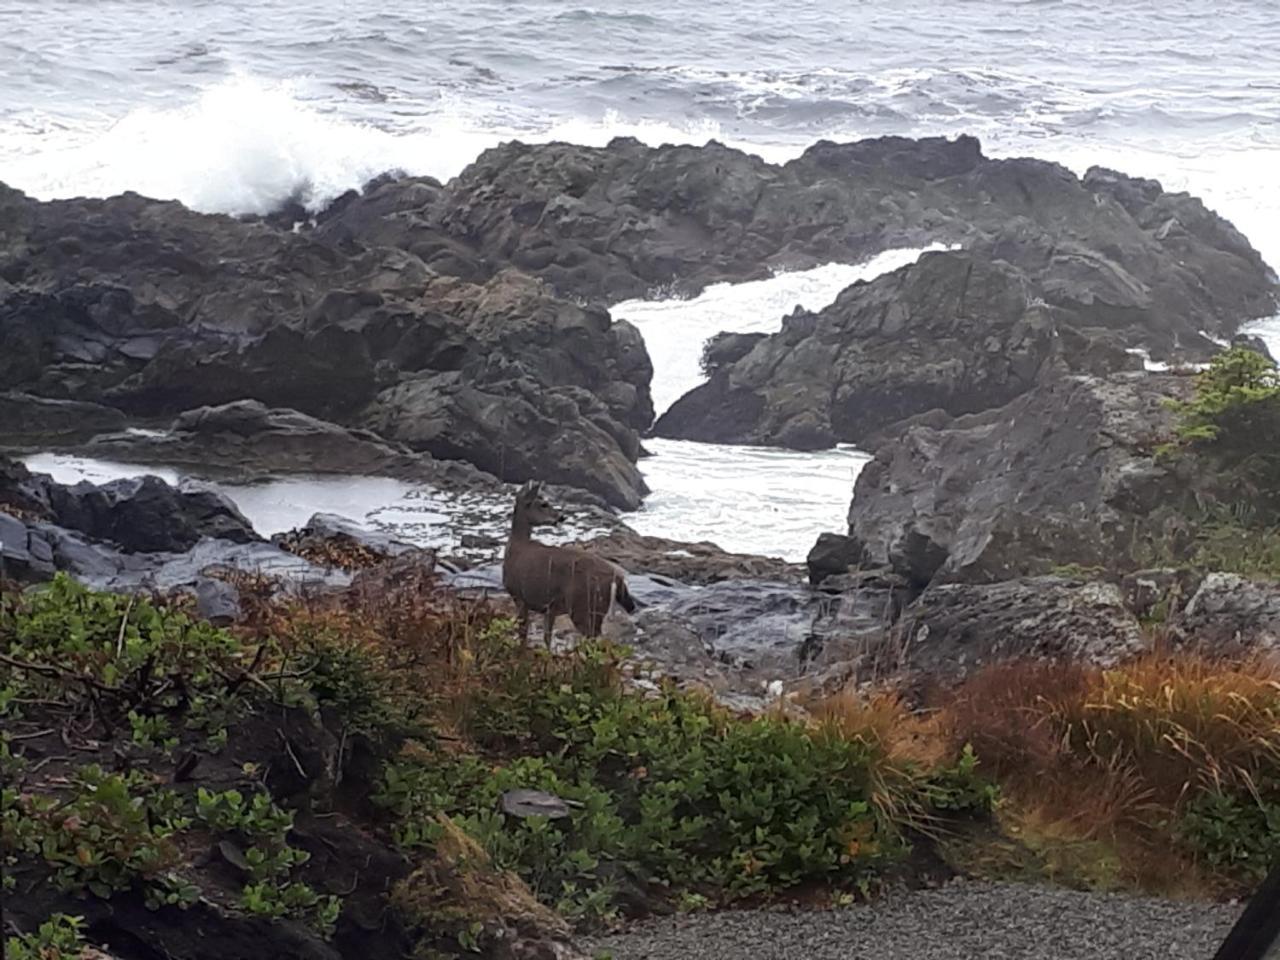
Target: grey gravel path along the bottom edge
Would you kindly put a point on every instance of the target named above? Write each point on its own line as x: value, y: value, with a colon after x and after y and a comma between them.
x: 959, y: 922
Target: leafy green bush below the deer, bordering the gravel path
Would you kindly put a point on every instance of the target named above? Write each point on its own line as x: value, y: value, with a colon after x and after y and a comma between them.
x: 670, y: 790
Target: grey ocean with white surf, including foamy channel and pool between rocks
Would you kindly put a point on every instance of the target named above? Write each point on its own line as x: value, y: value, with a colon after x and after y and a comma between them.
x: 234, y: 107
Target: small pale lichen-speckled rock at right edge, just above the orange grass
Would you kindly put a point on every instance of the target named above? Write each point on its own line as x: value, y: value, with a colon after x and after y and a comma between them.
x: 1231, y: 614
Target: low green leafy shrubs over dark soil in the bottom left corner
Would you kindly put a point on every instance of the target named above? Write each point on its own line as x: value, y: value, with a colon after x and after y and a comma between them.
x: 100, y: 664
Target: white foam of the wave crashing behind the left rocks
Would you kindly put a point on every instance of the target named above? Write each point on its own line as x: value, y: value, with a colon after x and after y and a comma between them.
x: 245, y: 147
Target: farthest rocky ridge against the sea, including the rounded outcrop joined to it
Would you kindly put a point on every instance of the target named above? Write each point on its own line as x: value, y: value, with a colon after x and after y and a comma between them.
x: 1055, y: 268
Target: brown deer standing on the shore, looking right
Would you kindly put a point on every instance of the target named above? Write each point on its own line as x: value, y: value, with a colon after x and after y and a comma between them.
x: 555, y: 580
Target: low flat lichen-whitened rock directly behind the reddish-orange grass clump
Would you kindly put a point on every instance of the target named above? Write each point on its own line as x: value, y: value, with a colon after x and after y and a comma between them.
x: 957, y: 628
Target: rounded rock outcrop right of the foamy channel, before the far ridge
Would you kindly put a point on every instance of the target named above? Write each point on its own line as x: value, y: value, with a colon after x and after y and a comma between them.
x: 956, y: 332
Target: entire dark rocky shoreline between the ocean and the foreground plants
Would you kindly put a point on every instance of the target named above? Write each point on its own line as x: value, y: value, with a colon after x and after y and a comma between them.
x: 1037, y: 492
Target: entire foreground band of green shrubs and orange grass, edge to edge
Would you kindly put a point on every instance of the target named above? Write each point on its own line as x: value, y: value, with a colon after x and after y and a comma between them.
x: 156, y: 734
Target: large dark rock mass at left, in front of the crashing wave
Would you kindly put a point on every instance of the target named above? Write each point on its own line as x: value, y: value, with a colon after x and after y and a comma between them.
x: 150, y: 309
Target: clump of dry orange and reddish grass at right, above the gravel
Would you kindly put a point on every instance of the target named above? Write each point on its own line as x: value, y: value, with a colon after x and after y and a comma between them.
x: 1117, y: 755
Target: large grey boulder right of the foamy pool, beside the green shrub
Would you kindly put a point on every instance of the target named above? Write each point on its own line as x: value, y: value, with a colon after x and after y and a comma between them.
x: 1064, y: 476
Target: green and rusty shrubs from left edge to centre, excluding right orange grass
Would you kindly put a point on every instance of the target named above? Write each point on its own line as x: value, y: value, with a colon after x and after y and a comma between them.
x: 668, y: 798
